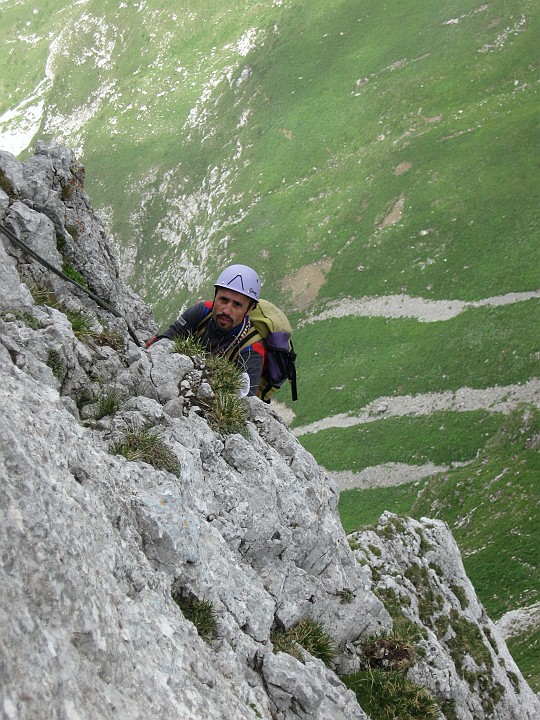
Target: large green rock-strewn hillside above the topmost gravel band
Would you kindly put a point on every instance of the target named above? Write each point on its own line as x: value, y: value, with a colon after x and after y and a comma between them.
x: 337, y: 98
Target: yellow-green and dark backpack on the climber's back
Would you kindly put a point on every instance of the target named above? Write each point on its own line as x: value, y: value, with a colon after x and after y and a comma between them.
x: 280, y: 362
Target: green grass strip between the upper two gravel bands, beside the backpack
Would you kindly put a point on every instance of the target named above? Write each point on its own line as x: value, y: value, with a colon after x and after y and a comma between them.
x: 353, y: 361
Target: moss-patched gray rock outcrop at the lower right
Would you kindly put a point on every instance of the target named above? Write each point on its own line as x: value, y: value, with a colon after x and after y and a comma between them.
x: 418, y: 569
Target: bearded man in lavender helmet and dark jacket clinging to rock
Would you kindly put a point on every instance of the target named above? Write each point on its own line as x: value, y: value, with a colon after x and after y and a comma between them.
x: 223, y: 325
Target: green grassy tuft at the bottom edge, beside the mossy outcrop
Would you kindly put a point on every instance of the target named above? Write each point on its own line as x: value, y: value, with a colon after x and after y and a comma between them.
x: 385, y: 695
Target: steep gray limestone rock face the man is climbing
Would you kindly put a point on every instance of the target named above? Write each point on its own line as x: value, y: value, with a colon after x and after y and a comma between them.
x: 93, y: 546
